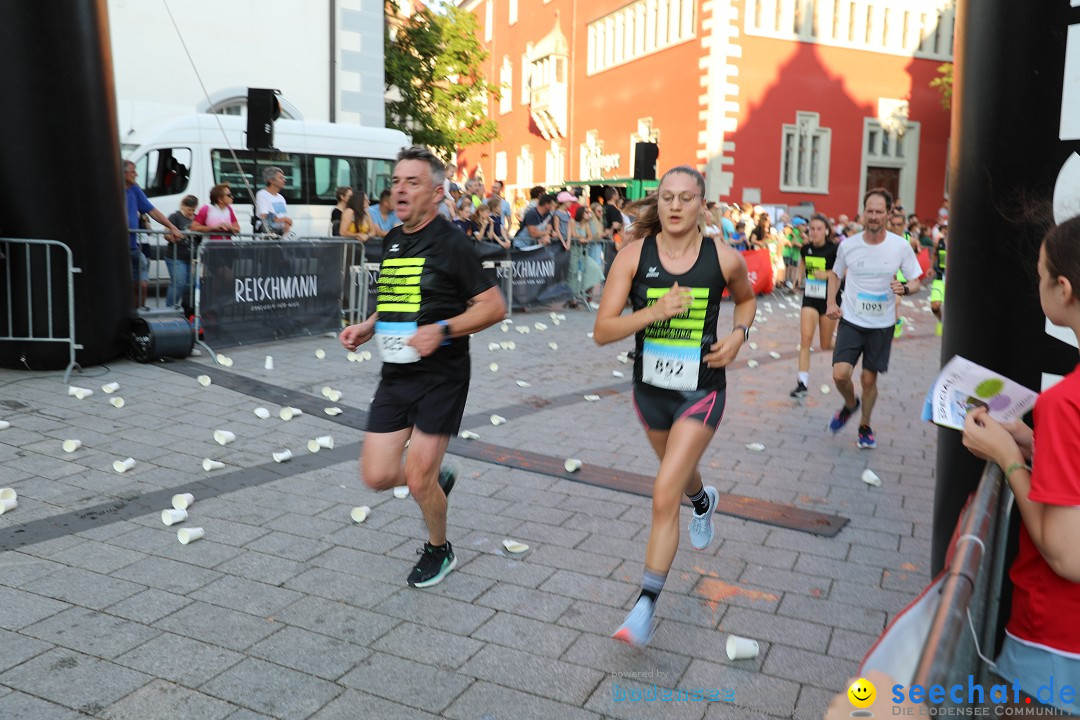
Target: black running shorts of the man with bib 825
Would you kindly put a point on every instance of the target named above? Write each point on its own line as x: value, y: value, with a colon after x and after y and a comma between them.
x: 430, y: 403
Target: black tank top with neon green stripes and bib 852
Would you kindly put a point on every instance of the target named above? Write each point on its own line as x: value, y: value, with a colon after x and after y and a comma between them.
x: 670, y: 352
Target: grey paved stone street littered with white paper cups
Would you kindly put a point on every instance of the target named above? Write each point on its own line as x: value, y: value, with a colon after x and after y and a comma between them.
x: 289, y: 610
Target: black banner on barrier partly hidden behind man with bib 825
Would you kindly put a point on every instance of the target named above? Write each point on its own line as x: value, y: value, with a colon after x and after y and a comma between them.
x: 539, y: 275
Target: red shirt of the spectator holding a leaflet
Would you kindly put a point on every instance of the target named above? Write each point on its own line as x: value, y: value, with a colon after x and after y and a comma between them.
x: 1046, y: 605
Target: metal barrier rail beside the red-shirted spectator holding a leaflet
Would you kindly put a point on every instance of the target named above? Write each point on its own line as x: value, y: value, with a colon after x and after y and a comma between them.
x: 971, y: 596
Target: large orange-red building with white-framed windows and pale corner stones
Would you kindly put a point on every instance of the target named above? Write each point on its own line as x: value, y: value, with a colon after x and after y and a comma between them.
x: 790, y: 103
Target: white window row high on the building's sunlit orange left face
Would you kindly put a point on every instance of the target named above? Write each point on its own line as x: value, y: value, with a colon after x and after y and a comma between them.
x: 639, y: 30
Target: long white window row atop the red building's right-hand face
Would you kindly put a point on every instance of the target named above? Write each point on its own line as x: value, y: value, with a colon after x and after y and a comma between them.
x: 912, y: 29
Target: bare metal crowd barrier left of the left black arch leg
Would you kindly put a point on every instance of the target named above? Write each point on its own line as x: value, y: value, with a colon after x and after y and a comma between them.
x: 12, y: 330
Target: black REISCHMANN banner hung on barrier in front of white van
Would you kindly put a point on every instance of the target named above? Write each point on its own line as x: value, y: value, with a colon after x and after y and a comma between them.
x: 261, y: 291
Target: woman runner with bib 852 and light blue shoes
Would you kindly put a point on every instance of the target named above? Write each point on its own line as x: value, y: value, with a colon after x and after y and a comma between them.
x: 674, y: 279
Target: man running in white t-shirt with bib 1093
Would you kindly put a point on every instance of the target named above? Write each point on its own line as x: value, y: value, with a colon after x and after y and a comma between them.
x: 869, y: 263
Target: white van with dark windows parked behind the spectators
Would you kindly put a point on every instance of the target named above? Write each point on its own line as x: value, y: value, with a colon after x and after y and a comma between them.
x: 191, y: 155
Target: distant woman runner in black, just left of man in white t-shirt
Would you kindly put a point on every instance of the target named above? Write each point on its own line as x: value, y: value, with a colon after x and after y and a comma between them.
x: 816, y: 260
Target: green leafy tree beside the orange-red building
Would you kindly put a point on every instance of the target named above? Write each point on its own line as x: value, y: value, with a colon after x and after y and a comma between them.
x: 434, y: 61
